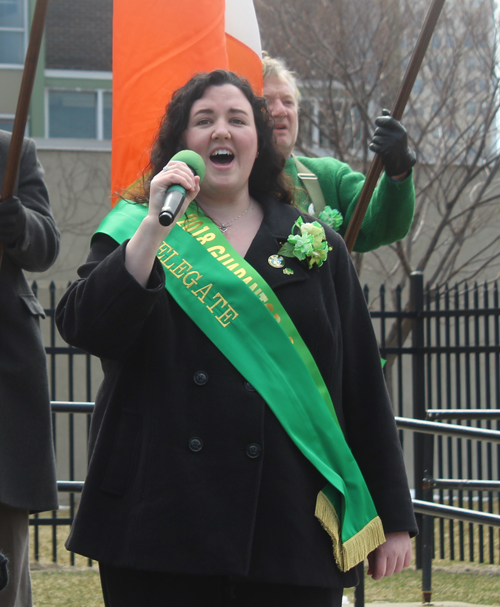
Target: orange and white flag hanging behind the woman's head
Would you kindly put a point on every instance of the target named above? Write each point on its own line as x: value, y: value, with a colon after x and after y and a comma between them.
x: 157, y: 46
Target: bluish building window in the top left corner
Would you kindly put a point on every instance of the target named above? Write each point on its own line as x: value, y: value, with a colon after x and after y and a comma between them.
x: 12, y: 31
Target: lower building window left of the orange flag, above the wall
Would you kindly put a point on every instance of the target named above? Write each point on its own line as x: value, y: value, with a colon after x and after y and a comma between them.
x: 79, y: 114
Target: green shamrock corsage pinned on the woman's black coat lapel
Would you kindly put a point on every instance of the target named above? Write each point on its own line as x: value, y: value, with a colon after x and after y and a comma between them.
x: 308, y: 243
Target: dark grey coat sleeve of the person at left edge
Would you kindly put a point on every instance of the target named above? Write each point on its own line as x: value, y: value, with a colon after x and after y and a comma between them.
x: 37, y: 250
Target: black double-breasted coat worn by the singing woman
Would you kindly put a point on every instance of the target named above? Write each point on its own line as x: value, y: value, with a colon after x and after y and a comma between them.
x: 190, y: 471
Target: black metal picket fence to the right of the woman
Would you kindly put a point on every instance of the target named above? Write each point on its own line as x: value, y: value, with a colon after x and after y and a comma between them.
x: 452, y: 362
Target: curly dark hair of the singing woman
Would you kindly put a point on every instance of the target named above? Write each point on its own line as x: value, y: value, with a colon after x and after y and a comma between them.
x: 267, y: 175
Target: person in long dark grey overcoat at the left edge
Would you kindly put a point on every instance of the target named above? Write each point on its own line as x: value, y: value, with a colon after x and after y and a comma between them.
x: 27, y: 468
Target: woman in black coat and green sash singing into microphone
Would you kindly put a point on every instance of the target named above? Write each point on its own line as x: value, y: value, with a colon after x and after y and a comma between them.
x: 211, y: 437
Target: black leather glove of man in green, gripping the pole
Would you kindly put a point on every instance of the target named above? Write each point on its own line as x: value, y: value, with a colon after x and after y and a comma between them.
x: 390, y: 140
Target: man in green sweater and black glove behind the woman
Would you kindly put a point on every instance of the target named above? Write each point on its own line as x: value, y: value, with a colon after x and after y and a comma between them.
x: 331, y: 184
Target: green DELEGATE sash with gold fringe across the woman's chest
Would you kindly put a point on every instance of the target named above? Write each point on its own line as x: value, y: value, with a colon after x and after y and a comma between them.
x: 233, y: 305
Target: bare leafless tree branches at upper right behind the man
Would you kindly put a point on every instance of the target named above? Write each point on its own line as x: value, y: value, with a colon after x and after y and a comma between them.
x: 350, y: 56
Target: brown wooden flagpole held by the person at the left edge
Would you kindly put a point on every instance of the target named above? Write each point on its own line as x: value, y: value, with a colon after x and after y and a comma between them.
x: 23, y: 103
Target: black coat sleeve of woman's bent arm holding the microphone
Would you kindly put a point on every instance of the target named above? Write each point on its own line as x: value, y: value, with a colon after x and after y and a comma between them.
x: 104, y: 312
